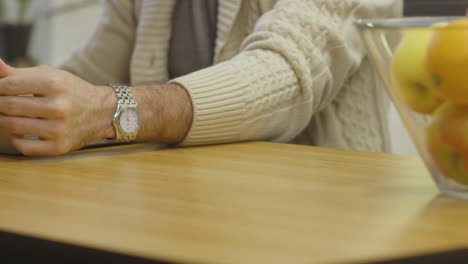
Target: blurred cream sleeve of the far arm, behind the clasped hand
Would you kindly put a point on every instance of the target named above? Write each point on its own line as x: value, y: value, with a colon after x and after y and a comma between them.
x: 105, y: 57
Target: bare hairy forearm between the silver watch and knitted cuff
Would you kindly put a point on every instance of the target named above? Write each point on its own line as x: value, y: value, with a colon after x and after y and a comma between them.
x: 165, y: 113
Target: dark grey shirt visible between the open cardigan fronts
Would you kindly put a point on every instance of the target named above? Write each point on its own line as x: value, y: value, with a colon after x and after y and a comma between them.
x: 192, y: 37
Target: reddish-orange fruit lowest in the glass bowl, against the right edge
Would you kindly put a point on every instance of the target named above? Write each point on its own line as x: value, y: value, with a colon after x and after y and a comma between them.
x: 447, y: 142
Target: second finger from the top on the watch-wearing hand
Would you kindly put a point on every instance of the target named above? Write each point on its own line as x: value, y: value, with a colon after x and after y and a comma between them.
x: 30, y: 106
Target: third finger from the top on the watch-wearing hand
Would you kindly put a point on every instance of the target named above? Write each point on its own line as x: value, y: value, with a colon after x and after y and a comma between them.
x: 45, y: 129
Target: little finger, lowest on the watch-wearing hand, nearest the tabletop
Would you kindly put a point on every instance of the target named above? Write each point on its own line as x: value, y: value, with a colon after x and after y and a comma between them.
x: 37, y: 147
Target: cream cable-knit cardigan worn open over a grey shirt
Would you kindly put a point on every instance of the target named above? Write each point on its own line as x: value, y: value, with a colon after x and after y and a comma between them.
x: 284, y: 70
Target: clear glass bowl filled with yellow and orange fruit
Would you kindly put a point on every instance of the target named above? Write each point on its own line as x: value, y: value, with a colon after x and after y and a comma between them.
x: 423, y: 62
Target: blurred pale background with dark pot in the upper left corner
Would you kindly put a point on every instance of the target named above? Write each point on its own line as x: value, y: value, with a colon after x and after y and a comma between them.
x: 57, y: 27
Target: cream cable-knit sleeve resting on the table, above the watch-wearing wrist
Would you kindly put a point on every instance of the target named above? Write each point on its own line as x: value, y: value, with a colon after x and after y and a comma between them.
x: 291, y: 67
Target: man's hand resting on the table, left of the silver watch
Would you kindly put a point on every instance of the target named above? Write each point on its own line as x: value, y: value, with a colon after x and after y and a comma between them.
x: 63, y: 111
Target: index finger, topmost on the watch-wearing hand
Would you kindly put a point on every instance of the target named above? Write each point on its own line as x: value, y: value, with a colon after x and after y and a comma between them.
x: 36, y: 83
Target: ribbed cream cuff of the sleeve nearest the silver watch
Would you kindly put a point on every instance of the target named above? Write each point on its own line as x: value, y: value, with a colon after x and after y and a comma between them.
x: 218, y: 104
